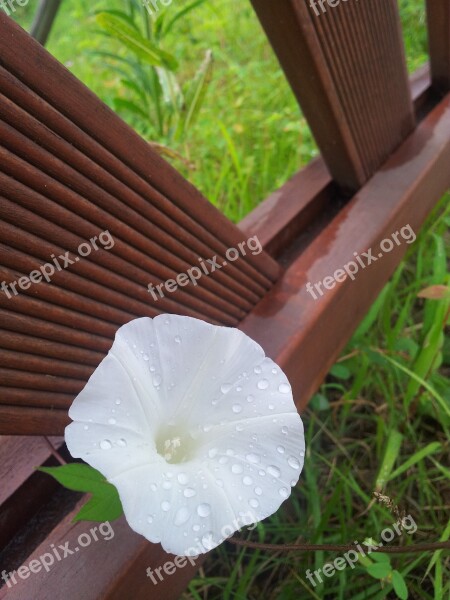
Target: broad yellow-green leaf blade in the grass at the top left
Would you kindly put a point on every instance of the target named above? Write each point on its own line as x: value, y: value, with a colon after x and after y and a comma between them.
x: 134, y: 41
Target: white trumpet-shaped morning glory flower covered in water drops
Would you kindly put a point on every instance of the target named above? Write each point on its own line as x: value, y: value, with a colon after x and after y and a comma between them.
x: 195, y: 427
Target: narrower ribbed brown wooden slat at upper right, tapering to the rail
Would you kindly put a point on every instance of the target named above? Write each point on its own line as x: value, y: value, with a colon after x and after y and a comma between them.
x: 347, y: 69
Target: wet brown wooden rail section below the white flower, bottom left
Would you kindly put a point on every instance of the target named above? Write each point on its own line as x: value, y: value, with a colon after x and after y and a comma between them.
x: 113, y: 569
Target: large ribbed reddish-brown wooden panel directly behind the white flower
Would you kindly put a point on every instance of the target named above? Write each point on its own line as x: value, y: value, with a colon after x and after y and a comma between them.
x: 69, y: 170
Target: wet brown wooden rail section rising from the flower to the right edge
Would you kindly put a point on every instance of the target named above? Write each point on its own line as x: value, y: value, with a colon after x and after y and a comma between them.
x: 305, y: 335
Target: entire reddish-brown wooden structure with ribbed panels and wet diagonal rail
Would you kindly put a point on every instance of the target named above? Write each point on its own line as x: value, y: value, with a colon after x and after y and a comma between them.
x: 70, y: 168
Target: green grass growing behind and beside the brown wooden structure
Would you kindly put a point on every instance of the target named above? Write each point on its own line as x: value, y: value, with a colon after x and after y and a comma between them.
x: 381, y: 416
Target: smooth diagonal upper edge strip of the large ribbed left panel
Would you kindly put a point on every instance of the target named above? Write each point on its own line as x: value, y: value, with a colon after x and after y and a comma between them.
x: 40, y: 71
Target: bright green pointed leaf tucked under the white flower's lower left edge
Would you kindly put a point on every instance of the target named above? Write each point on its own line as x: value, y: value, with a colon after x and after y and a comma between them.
x: 105, y: 503
